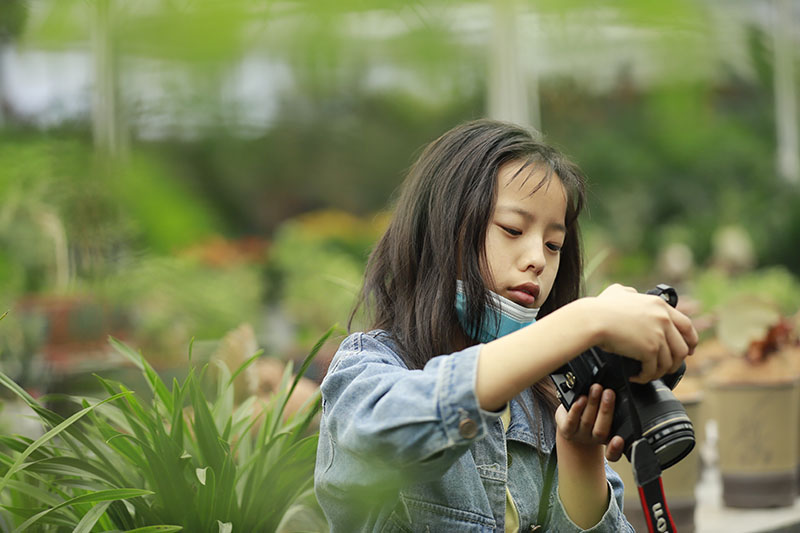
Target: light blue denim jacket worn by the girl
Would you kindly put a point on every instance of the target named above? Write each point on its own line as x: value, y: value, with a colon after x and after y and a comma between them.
x: 410, y: 450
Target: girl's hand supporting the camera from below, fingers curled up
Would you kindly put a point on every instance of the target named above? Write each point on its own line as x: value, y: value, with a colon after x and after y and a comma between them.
x: 588, y: 422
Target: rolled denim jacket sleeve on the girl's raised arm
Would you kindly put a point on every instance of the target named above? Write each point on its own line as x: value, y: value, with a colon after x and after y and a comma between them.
x: 386, y: 419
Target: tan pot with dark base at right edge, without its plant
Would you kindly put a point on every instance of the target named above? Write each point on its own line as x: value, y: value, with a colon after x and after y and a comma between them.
x: 757, y: 409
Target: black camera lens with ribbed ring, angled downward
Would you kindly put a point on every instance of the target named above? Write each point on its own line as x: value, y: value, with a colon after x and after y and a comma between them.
x: 665, y: 423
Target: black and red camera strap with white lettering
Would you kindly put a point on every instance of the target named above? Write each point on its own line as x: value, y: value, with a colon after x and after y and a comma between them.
x: 647, y: 474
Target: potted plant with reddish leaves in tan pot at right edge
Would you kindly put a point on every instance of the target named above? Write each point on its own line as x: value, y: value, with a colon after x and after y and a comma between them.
x: 756, y: 406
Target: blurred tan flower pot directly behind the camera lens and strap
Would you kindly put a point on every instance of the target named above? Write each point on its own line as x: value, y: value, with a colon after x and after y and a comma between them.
x: 679, y: 480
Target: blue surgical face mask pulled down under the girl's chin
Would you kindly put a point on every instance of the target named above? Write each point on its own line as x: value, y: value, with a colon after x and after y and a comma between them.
x: 501, y: 316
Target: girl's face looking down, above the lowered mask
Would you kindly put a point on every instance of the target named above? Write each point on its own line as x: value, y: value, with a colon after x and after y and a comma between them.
x: 525, y: 235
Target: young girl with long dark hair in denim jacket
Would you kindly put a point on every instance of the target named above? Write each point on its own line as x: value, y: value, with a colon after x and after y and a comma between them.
x: 442, y: 418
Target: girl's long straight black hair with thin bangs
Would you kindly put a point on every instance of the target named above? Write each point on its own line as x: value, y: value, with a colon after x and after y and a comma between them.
x: 438, y: 233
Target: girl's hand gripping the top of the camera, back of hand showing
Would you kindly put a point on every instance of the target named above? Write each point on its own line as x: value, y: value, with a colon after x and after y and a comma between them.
x: 646, y: 328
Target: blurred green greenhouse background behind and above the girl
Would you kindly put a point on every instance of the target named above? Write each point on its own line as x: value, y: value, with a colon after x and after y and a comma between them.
x: 172, y: 169
